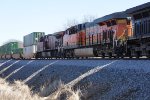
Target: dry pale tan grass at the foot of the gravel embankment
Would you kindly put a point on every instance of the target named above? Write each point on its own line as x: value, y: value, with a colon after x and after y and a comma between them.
x: 20, y: 91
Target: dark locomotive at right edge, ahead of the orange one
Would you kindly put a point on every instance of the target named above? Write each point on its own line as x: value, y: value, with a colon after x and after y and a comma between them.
x: 139, y: 42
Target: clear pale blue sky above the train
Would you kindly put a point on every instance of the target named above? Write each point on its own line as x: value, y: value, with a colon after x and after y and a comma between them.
x: 21, y: 17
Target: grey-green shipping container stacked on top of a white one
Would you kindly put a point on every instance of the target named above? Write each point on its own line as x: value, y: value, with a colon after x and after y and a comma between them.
x: 33, y: 38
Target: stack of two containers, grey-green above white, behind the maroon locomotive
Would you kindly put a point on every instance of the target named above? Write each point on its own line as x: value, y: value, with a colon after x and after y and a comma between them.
x: 30, y: 44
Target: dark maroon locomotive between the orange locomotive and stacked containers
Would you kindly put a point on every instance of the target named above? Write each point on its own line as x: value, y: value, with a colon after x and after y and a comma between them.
x: 50, y: 45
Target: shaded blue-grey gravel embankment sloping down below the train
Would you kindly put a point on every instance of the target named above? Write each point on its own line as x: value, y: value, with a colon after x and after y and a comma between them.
x: 123, y: 79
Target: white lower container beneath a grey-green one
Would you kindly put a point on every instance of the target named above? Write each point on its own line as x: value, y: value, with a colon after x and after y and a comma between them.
x: 30, y: 51
